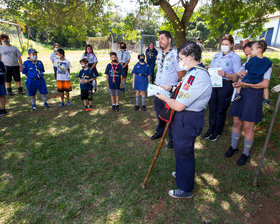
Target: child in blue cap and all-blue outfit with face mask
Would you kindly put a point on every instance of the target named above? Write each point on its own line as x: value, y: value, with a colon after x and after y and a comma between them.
x: 34, y: 71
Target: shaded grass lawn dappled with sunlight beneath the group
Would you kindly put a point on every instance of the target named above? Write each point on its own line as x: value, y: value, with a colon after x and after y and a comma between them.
x: 64, y: 165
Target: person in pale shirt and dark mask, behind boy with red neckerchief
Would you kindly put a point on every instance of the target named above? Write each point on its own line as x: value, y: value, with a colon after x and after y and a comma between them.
x: 124, y: 59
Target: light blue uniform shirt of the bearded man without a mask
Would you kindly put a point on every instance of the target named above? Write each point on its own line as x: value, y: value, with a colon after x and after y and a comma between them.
x: 168, y: 66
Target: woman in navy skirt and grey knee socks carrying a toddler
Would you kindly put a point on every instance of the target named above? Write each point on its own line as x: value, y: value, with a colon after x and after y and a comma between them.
x: 246, y: 112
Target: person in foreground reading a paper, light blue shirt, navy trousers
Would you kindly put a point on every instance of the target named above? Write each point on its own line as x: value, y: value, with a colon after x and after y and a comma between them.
x: 188, y: 121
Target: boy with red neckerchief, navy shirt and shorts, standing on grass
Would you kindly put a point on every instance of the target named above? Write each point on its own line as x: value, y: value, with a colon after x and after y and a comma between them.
x: 114, y: 74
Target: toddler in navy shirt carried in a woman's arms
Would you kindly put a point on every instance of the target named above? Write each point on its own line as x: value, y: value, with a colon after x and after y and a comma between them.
x: 255, y: 68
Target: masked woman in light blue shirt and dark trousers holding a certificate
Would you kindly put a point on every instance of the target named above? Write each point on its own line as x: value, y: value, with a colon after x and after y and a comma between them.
x: 219, y: 102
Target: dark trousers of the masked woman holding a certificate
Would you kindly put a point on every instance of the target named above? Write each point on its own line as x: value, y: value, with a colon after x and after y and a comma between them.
x: 218, y: 106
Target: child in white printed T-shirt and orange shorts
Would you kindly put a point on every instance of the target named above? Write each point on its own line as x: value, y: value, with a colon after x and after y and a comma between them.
x: 63, y: 77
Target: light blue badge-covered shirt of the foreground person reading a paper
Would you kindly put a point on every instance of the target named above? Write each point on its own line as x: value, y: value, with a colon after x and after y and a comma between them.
x: 196, y: 90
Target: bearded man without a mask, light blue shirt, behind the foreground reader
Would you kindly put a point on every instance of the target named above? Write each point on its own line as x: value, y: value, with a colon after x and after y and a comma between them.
x: 168, y: 73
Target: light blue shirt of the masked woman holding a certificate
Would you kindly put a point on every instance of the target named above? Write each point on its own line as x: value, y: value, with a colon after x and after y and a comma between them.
x: 230, y: 63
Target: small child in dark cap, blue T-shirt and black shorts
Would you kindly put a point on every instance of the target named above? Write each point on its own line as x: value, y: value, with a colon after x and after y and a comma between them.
x: 86, y: 76
